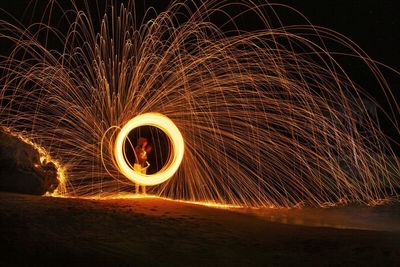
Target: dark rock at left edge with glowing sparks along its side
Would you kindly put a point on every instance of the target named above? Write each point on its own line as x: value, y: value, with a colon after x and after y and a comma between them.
x: 21, y: 170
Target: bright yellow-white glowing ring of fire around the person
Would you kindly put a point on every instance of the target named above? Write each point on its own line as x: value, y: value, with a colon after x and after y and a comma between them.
x: 176, y: 154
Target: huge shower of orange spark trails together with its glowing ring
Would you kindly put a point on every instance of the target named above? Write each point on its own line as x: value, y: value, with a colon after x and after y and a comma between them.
x: 252, y: 118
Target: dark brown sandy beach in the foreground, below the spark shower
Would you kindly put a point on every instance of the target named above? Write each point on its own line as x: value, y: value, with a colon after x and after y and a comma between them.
x: 156, y: 232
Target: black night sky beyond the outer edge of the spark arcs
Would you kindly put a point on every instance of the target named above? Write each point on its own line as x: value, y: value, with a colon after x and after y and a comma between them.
x: 373, y: 25
